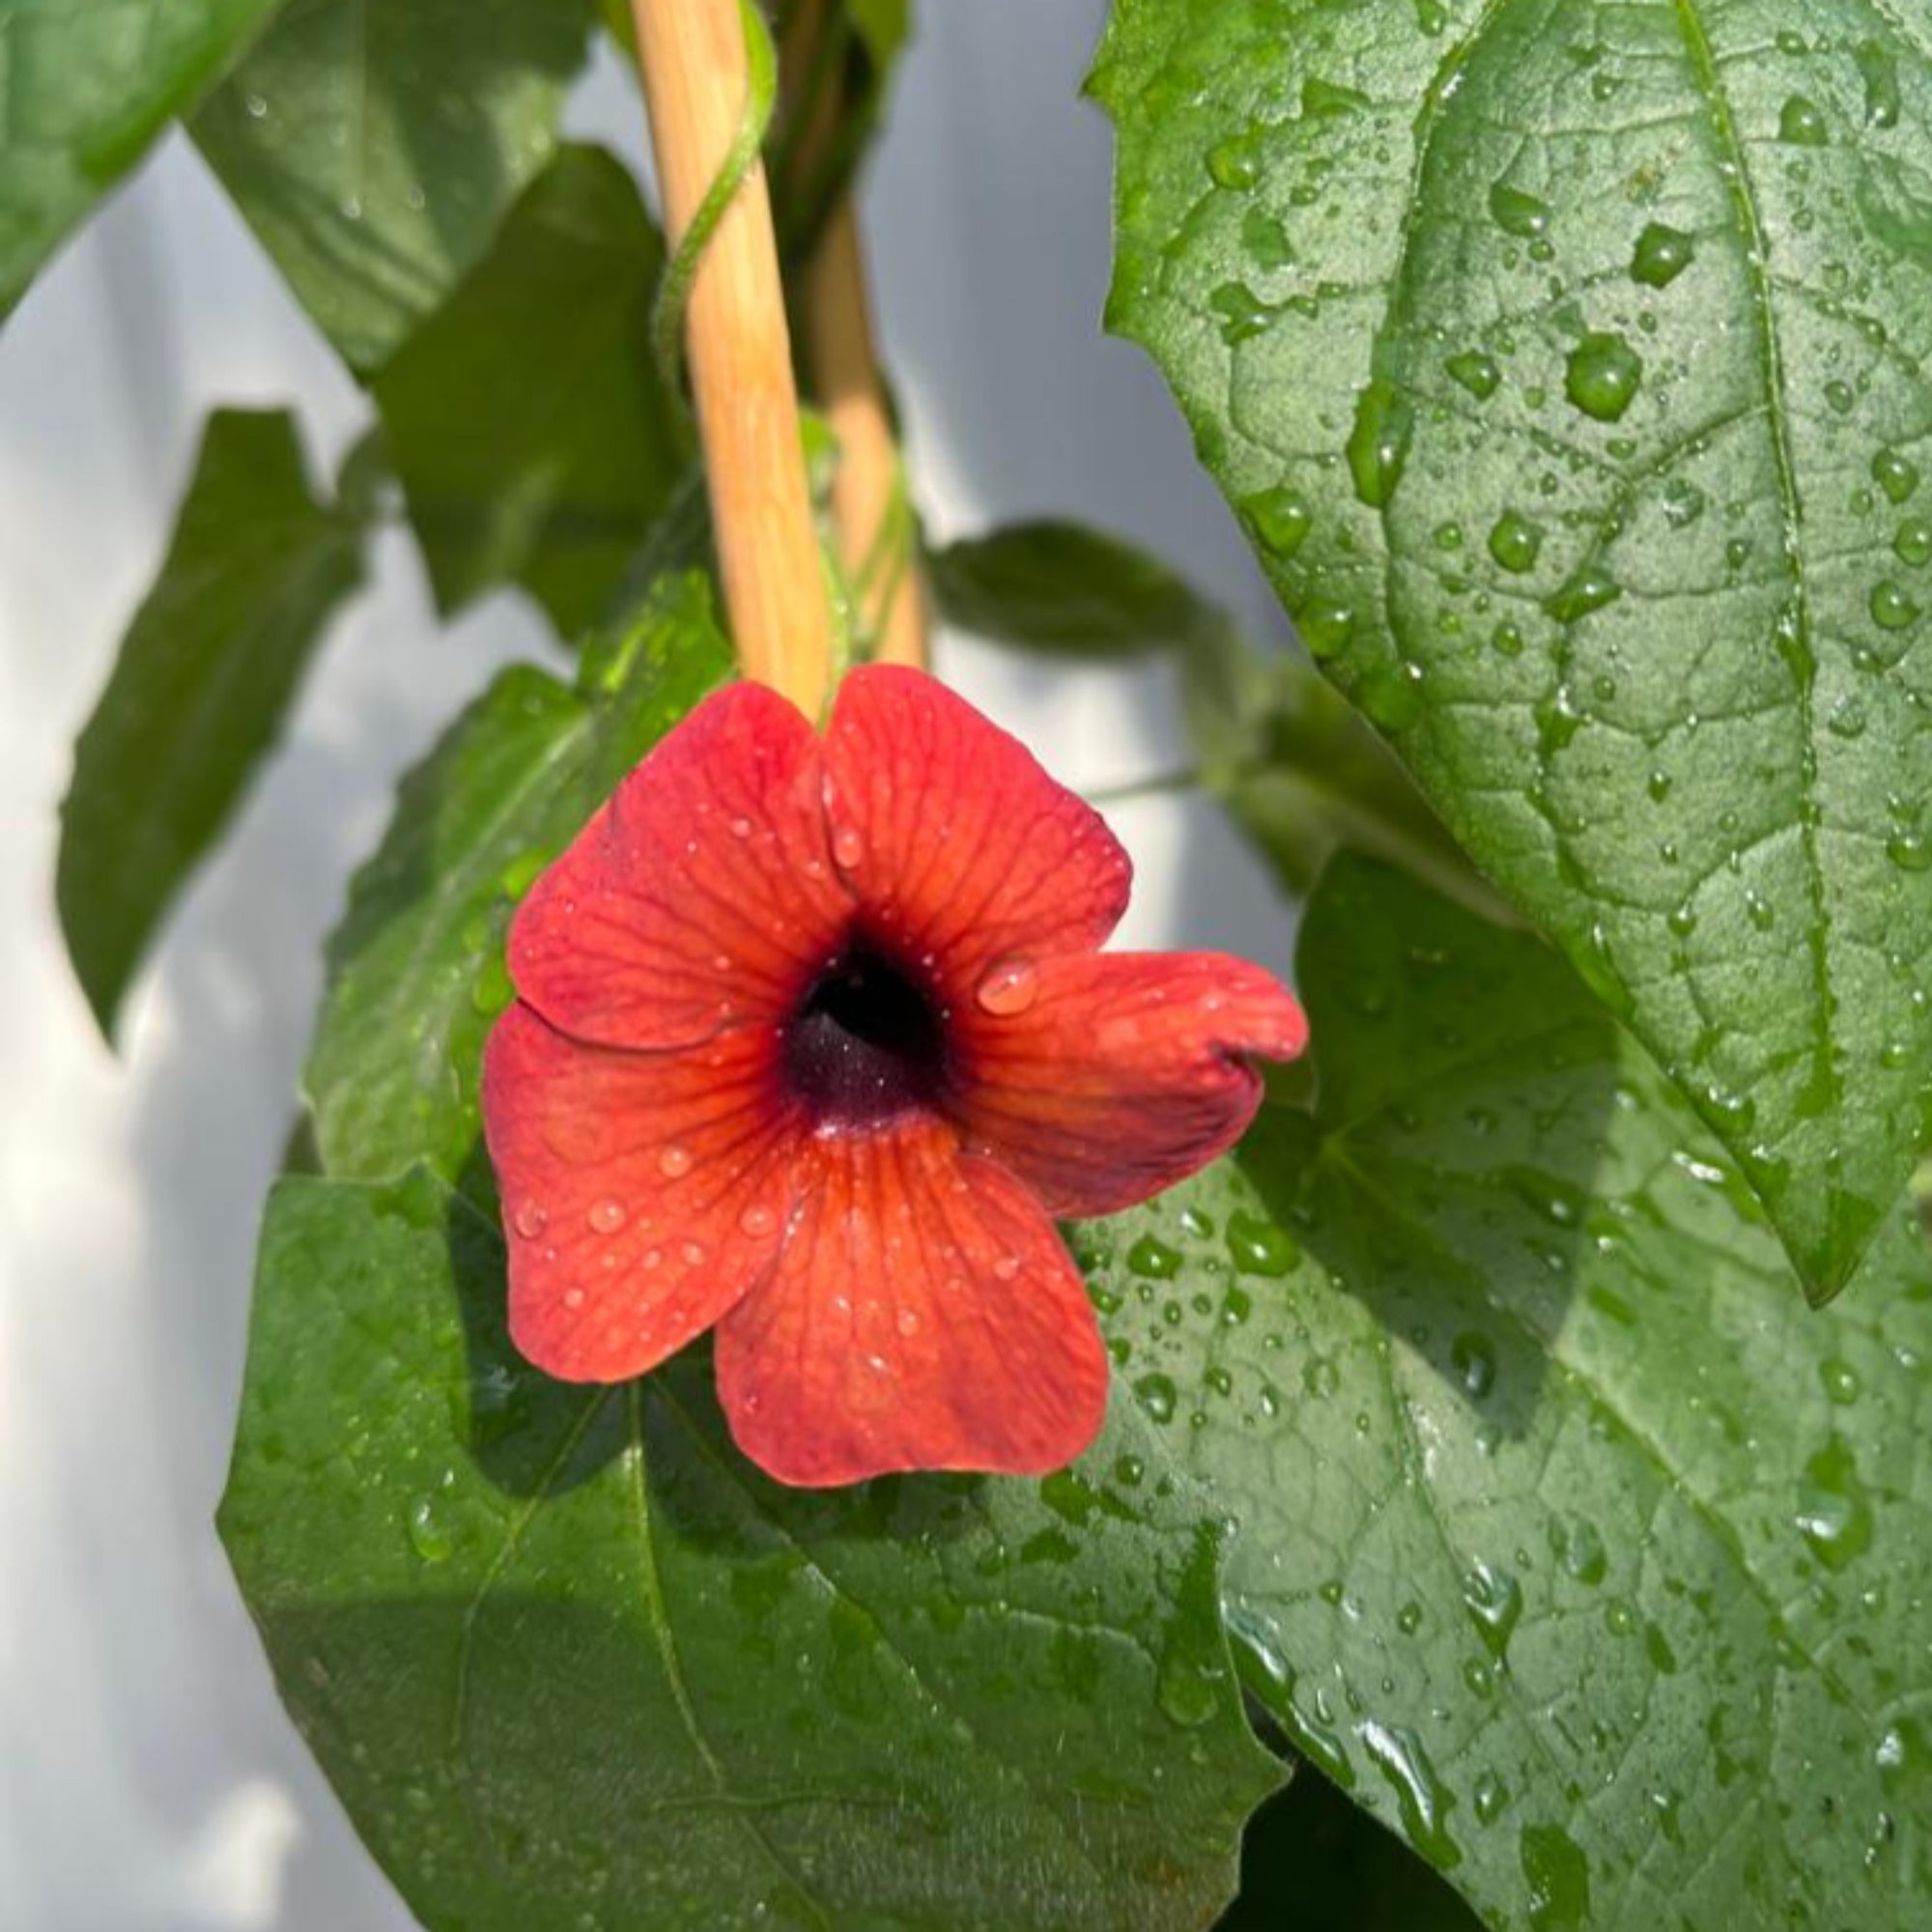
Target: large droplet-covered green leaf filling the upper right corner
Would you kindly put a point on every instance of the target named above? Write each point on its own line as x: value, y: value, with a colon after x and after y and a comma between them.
x: 1566, y: 368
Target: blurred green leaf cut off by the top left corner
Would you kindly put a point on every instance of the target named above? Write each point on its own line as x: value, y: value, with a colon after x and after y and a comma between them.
x: 88, y: 90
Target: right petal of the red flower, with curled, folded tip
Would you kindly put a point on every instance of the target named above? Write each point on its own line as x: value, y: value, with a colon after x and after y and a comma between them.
x: 1122, y: 1073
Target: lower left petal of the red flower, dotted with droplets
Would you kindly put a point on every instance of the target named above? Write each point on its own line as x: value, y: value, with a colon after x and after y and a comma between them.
x: 644, y: 1193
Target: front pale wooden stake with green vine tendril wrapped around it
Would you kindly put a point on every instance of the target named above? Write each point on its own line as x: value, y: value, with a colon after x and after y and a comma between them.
x: 739, y: 353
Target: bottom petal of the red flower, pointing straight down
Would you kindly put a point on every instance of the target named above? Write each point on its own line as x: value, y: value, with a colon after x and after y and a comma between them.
x: 924, y: 1315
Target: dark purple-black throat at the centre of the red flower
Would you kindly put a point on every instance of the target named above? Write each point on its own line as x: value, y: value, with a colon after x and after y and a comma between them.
x: 867, y: 1044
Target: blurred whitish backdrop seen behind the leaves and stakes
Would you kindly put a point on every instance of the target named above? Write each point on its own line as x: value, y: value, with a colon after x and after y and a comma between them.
x: 148, y: 1776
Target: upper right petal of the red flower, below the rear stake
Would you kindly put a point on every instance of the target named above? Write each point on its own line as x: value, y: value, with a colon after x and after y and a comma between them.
x: 953, y: 838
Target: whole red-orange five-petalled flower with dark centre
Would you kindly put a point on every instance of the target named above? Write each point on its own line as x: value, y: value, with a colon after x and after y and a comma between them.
x: 812, y: 1042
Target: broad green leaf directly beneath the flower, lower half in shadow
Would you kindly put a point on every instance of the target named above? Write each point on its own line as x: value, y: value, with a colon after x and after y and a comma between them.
x: 571, y: 1661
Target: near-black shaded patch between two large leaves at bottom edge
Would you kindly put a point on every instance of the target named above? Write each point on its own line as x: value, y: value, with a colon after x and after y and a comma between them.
x: 1311, y: 1861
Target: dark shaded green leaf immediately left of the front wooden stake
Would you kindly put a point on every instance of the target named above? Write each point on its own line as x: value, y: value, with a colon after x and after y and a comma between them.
x: 525, y: 418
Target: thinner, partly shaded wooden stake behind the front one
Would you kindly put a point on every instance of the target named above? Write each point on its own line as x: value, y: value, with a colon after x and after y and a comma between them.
x: 845, y: 378
